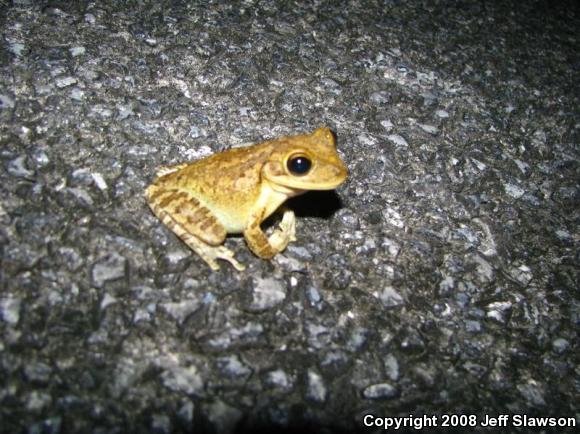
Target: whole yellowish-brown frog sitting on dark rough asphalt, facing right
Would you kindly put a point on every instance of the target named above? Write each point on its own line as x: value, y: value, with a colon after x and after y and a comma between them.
x: 234, y: 191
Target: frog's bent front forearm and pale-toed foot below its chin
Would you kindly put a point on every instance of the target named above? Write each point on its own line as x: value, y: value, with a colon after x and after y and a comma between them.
x: 267, y: 247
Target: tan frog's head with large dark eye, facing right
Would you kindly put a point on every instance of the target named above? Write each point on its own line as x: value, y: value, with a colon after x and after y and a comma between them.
x: 306, y: 162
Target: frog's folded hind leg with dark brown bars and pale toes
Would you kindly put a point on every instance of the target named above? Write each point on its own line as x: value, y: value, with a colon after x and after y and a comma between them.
x: 193, y: 223
